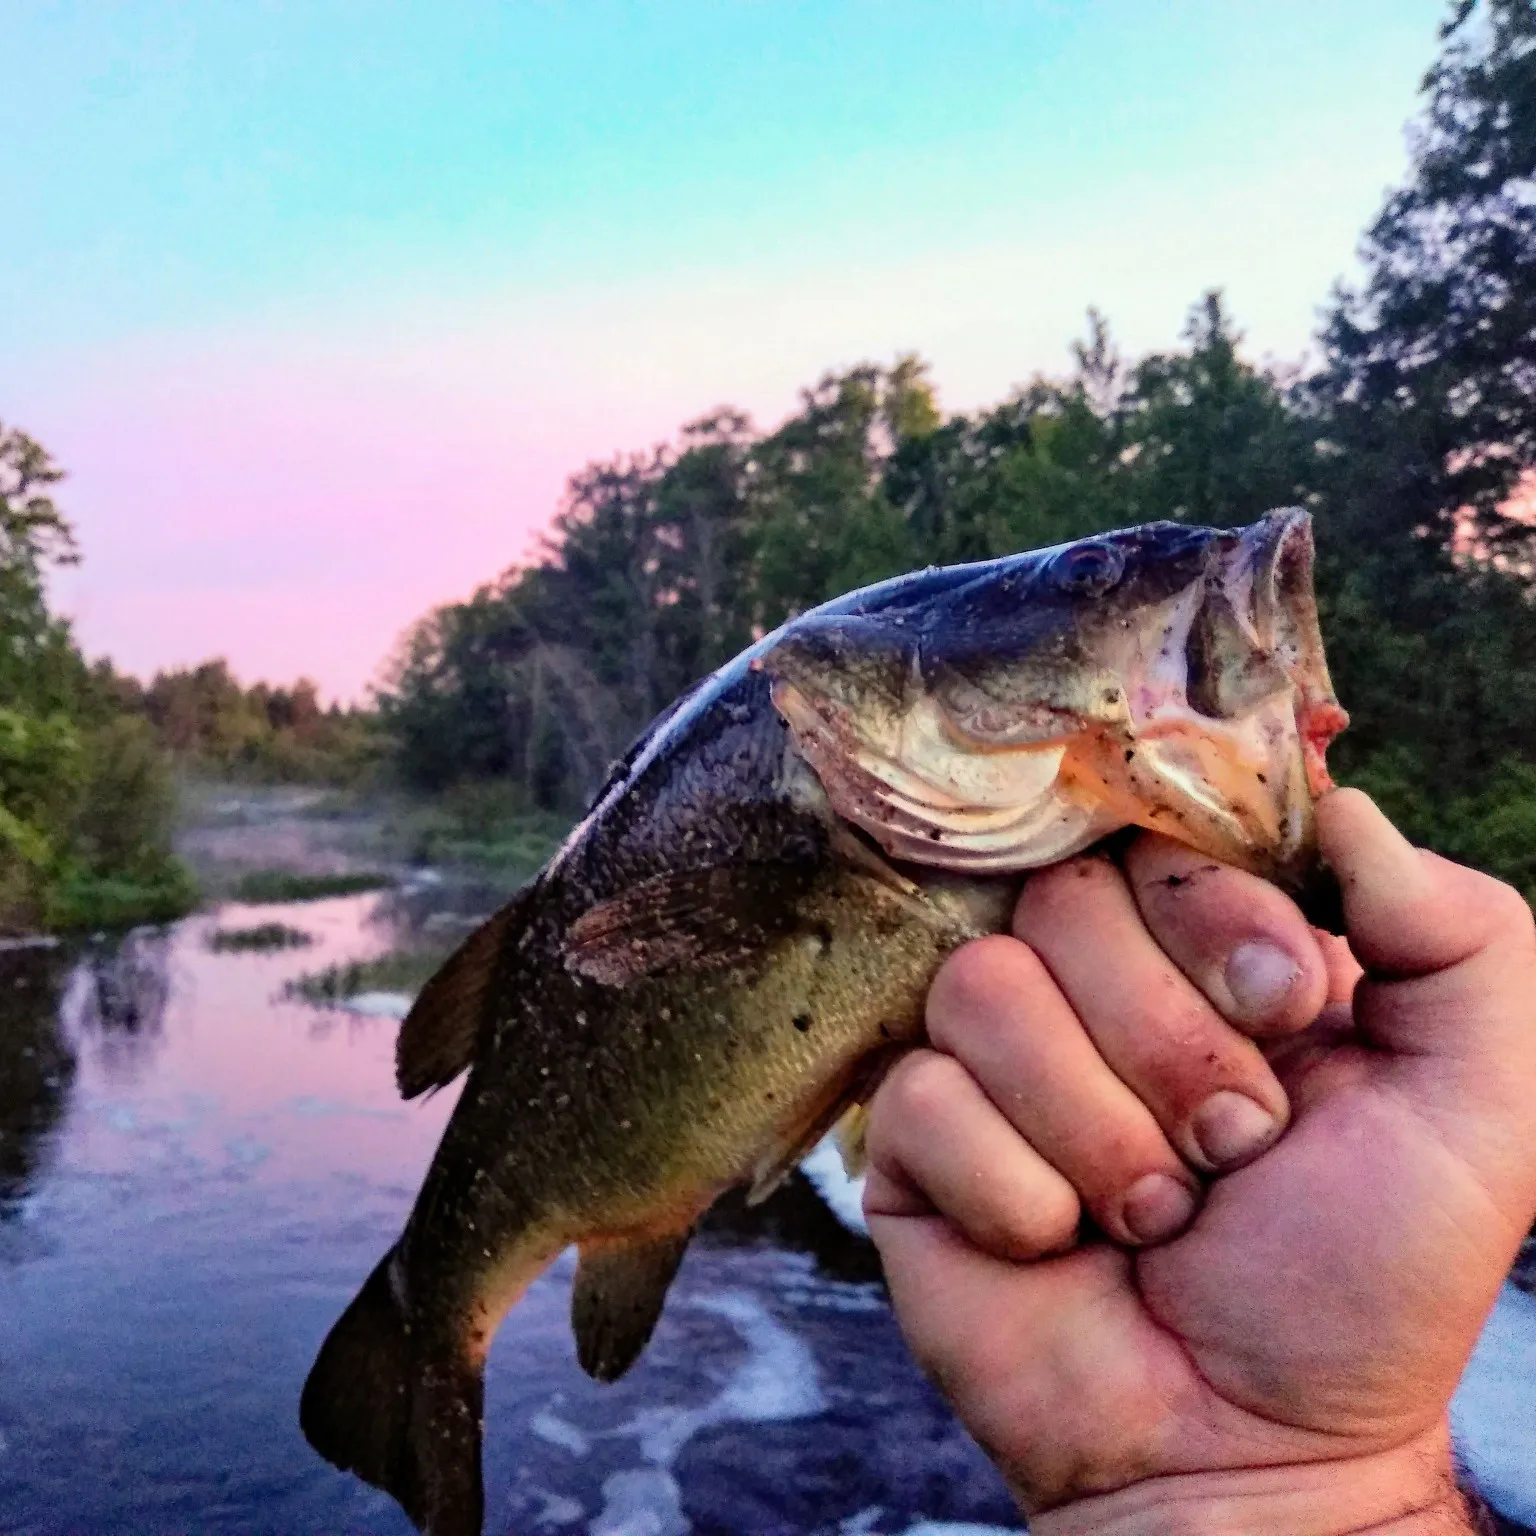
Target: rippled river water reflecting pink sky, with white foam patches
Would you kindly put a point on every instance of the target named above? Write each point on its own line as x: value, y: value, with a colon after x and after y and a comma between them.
x: 196, y: 1174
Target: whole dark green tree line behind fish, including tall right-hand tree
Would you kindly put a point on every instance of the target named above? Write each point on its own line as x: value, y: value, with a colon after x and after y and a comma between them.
x: 1408, y: 439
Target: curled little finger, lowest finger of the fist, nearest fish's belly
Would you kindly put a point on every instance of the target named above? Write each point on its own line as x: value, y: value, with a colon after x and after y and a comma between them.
x: 939, y: 1145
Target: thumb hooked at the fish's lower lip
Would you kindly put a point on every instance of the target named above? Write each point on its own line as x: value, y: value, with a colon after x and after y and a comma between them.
x: 1449, y: 955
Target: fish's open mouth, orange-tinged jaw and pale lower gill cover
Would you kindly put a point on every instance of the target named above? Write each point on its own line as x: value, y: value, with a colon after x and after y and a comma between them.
x: 1210, y: 723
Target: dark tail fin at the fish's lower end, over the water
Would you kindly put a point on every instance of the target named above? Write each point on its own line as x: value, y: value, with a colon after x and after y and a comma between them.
x: 402, y: 1417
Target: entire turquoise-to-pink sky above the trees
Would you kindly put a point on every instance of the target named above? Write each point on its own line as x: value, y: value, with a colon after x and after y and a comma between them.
x: 320, y: 305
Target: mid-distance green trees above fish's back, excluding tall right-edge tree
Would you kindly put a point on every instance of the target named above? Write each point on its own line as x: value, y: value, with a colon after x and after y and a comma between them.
x: 661, y: 569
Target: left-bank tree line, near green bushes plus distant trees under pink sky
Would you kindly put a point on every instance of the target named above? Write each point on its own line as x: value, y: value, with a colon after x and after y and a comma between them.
x: 90, y: 756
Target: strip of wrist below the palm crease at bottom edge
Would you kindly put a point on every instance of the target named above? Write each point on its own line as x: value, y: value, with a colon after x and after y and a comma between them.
x: 1405, y: 1492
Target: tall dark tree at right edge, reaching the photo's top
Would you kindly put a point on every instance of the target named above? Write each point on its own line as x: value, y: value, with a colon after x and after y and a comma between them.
x: 1426, y: 417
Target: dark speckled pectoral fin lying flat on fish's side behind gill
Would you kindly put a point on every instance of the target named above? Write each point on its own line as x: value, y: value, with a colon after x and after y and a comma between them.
x: 684, y: 921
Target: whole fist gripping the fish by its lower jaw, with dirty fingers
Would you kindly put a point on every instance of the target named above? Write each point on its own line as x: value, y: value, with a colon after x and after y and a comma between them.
x: 1283, y: 1360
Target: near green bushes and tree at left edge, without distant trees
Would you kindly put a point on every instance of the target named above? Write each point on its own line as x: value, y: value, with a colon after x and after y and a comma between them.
x: 85, y: 793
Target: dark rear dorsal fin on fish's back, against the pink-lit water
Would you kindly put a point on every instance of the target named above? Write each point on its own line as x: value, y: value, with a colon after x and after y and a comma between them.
x: 437, y: 1041
